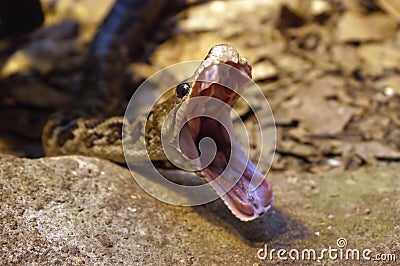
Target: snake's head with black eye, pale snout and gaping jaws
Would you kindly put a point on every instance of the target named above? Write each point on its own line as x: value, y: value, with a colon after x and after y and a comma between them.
x: 218, y: 82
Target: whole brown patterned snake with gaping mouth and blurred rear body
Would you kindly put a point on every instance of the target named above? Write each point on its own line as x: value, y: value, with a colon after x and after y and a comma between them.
x: 120, y: 139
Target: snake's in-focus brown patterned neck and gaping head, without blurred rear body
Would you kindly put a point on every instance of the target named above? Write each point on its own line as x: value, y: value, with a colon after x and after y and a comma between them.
x: 103, y: 137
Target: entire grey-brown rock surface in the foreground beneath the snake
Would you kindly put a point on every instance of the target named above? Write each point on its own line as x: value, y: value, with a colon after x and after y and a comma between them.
x: 76, y: 210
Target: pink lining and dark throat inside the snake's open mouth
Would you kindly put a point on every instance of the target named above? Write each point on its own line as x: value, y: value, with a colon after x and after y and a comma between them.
x: 245, y: 203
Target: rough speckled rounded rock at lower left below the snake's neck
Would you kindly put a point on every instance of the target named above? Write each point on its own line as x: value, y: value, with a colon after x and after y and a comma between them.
x: 79, y: 210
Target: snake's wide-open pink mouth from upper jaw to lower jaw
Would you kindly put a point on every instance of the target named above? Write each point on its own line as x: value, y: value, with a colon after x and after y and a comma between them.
x: 230, y: 172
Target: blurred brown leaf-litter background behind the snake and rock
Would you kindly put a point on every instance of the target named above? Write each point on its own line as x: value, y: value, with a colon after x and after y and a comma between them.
x: 330, y: 69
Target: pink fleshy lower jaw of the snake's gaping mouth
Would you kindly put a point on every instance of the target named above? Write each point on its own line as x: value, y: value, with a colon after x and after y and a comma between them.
x: 245, y: 203
